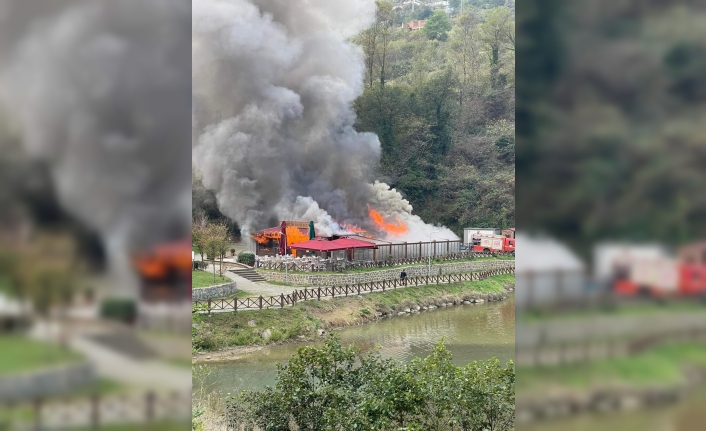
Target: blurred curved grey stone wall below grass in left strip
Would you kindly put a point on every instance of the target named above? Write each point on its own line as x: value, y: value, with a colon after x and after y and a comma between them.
x: 46, y: 382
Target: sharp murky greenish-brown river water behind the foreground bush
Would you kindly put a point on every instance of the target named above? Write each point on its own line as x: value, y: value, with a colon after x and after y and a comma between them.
x: 471, y: 332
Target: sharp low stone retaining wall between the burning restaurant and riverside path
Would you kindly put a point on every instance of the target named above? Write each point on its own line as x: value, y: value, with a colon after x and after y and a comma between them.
x: 319, y: 279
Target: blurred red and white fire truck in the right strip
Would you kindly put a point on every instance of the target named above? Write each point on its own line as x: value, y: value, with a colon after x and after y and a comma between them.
x: 638, y: 272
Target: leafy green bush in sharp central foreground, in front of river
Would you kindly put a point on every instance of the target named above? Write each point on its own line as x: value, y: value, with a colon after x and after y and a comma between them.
x: 337, y: 388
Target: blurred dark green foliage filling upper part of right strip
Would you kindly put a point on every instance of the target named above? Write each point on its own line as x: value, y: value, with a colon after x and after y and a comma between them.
x: 610, y: 121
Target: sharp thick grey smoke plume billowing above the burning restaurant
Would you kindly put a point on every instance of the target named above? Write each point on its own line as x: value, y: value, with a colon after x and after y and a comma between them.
x: 273, y: 83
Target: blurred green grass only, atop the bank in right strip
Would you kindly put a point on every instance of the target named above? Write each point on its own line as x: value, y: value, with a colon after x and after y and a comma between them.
x: 663, y: 365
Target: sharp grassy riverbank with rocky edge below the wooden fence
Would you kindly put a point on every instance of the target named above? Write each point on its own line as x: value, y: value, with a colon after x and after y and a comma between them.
x: 213, y: 335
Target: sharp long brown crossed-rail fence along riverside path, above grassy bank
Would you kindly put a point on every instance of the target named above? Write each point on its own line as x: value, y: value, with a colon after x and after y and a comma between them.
x: 290, y: 299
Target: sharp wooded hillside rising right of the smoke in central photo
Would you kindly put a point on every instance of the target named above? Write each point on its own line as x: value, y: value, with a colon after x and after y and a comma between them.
x: 441, y: 100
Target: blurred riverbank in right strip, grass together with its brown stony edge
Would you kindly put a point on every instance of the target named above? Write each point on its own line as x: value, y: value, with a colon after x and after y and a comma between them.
x: 661, y: 375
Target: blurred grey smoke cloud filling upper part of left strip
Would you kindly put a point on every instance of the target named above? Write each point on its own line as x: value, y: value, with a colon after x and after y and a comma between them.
x: 100, y: 90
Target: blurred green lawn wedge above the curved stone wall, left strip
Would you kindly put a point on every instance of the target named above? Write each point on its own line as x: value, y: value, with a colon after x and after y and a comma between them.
x: 18, y: 354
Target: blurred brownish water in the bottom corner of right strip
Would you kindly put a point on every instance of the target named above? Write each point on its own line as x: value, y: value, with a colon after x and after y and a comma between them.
x: 688, y: 415
